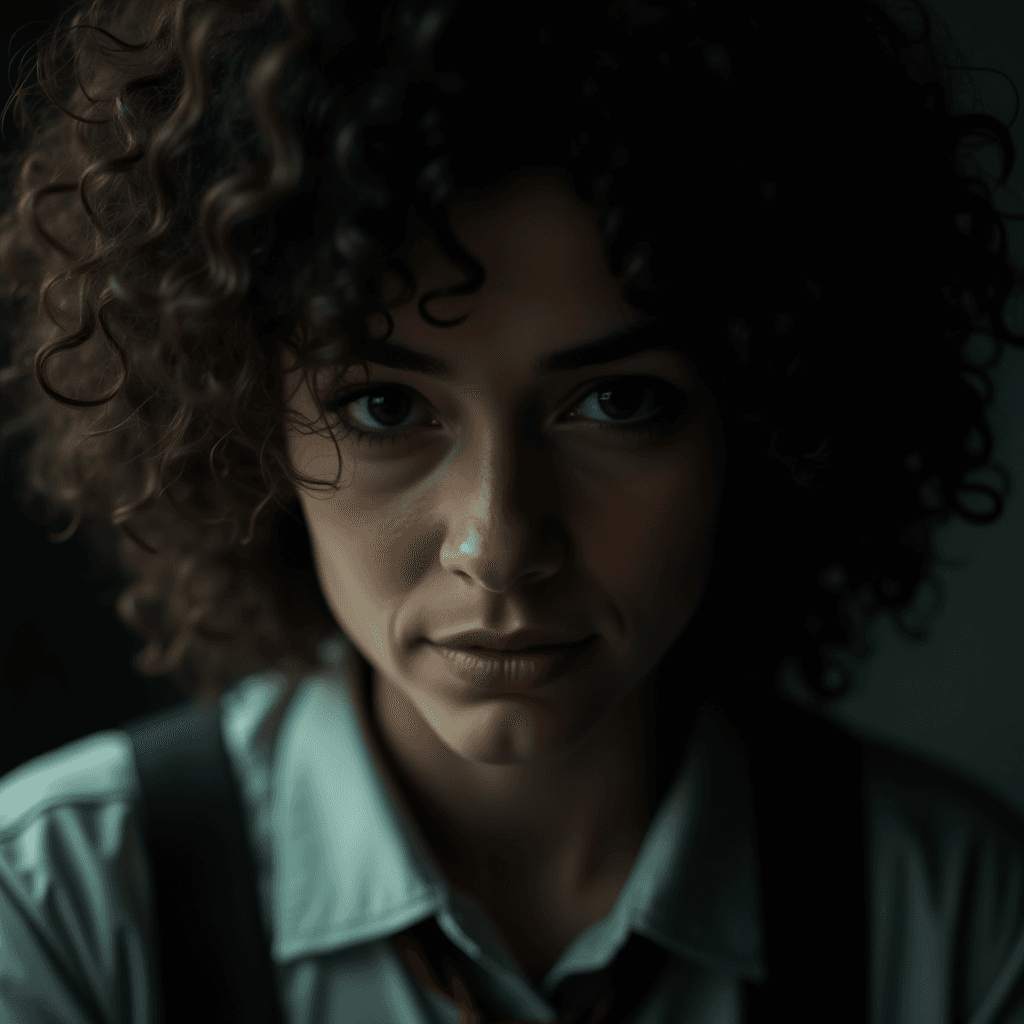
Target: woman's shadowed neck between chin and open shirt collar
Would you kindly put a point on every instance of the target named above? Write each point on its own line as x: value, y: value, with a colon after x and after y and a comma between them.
x: 571, y: 822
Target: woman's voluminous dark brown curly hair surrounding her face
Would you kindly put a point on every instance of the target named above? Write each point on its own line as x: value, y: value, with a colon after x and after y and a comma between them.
x: 204, y: 185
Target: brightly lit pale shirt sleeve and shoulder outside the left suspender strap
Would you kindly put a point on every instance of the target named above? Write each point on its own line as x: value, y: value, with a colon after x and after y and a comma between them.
x: 75, y: 899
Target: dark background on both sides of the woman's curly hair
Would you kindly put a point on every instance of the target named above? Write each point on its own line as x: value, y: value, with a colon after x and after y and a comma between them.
x: 959, y: 699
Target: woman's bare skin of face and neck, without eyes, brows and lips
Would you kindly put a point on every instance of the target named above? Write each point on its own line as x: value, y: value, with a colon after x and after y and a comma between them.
x: 506, y: 503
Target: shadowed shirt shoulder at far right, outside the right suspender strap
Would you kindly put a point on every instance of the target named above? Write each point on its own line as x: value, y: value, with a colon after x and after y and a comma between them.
x: 947, y: 890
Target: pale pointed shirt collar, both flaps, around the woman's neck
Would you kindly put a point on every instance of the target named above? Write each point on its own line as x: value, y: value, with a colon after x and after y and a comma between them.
x: 349, y: 865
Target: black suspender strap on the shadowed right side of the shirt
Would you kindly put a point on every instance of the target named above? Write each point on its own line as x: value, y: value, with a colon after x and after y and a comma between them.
x: 806, y: 777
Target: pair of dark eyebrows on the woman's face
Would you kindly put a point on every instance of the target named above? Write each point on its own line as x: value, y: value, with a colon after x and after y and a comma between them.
x: 646, y: 336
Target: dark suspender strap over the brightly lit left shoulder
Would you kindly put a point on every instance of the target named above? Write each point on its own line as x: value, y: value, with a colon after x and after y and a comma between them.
x: 212, y: 950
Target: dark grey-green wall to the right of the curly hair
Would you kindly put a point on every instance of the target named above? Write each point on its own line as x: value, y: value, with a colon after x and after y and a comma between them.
x: 960, y: 697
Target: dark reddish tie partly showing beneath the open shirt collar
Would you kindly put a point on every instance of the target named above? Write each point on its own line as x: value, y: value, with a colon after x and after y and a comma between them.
x: 607, y: 997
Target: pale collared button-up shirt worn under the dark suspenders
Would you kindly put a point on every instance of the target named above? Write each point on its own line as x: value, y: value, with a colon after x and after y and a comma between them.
x: 342, y: 870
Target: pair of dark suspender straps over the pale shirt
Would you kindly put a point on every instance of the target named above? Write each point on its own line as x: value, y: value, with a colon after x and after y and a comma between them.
x: 212, y: 947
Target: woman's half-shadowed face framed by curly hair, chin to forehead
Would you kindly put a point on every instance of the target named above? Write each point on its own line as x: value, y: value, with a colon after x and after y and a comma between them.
x: 508, y: 500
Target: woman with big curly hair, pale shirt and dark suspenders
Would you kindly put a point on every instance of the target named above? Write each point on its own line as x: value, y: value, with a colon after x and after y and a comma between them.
x: 497, y: 405
